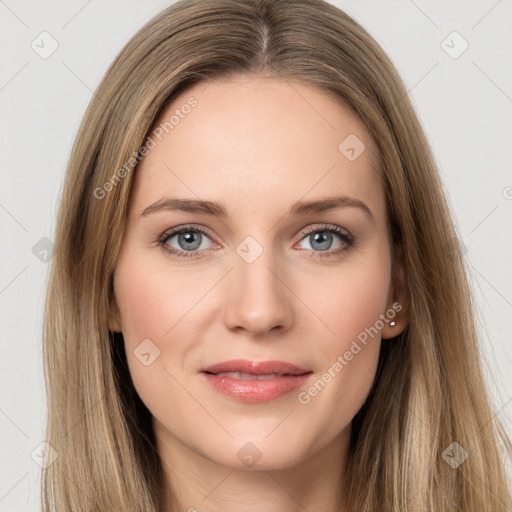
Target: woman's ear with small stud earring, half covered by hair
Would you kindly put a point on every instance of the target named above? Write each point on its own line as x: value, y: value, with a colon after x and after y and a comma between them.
x: 398, y: 306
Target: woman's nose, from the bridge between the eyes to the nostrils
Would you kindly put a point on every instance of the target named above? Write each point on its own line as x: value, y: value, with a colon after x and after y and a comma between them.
x: 258, y: 299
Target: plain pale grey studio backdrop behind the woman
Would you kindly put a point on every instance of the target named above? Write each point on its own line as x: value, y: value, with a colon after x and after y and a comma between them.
x: 455, y: 59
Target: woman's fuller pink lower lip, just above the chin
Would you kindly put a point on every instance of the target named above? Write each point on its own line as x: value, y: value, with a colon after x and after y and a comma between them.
x: 256, y: 391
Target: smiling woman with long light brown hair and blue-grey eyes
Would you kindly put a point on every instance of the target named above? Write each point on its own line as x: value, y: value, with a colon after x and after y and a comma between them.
x: 256, y: 302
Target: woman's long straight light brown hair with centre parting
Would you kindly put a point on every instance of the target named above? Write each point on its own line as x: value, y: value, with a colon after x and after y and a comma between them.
x: 429, y: 391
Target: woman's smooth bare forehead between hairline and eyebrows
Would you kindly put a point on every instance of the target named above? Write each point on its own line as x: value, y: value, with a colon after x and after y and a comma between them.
x: 257, y: 141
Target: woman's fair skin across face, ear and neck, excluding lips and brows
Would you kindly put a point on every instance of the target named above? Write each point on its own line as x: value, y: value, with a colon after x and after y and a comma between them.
x: 256, y: 145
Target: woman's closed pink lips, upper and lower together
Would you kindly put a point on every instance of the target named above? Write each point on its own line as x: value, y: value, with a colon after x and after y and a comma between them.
x: 287, y: 378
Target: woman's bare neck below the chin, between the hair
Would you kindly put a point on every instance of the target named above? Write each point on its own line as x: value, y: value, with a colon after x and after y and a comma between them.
x: 199, y: 484
